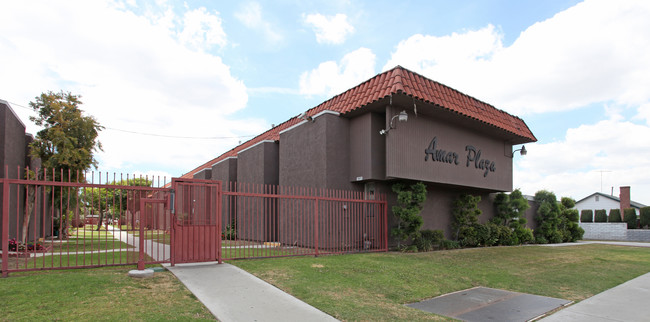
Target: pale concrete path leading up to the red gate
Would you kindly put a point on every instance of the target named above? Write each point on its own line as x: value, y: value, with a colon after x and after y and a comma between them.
x: 232, y: 294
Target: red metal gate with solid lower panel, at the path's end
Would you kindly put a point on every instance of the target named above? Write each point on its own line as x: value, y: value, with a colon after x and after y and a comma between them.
x: 197, y: 223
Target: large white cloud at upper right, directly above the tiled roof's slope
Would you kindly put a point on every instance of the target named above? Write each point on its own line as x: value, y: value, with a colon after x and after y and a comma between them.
x: 593, y: 52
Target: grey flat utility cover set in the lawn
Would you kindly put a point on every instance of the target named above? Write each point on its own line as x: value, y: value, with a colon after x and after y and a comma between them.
x: 488, y: 304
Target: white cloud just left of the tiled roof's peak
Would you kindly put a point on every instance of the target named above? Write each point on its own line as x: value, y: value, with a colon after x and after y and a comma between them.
x: 332, y: 78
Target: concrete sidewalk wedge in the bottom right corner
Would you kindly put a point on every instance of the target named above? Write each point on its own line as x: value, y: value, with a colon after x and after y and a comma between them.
x: 626, y: 302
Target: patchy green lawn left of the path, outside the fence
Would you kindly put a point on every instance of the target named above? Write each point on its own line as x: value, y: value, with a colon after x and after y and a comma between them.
x: 105, y: 294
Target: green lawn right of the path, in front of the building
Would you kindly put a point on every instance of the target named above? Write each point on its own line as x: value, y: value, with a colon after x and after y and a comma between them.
x: 375, y: 286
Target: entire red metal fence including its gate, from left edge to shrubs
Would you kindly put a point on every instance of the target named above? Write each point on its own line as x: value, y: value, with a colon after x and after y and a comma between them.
x: 97, y: 220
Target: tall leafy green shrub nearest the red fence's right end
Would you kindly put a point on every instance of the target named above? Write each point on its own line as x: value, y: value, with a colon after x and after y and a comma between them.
x: 407, y: 210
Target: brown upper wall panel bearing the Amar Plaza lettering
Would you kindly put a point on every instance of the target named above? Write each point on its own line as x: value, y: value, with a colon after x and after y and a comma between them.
x: 406, y: 145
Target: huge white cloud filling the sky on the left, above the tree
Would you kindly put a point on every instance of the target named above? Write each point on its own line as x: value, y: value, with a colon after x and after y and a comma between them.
x: 138, y: 75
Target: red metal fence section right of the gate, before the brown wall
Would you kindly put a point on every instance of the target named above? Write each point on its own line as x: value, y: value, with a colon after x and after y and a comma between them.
x: 272, y: 221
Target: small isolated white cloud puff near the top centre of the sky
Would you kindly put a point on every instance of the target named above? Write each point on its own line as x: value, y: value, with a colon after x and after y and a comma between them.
x: 329, y: 30
